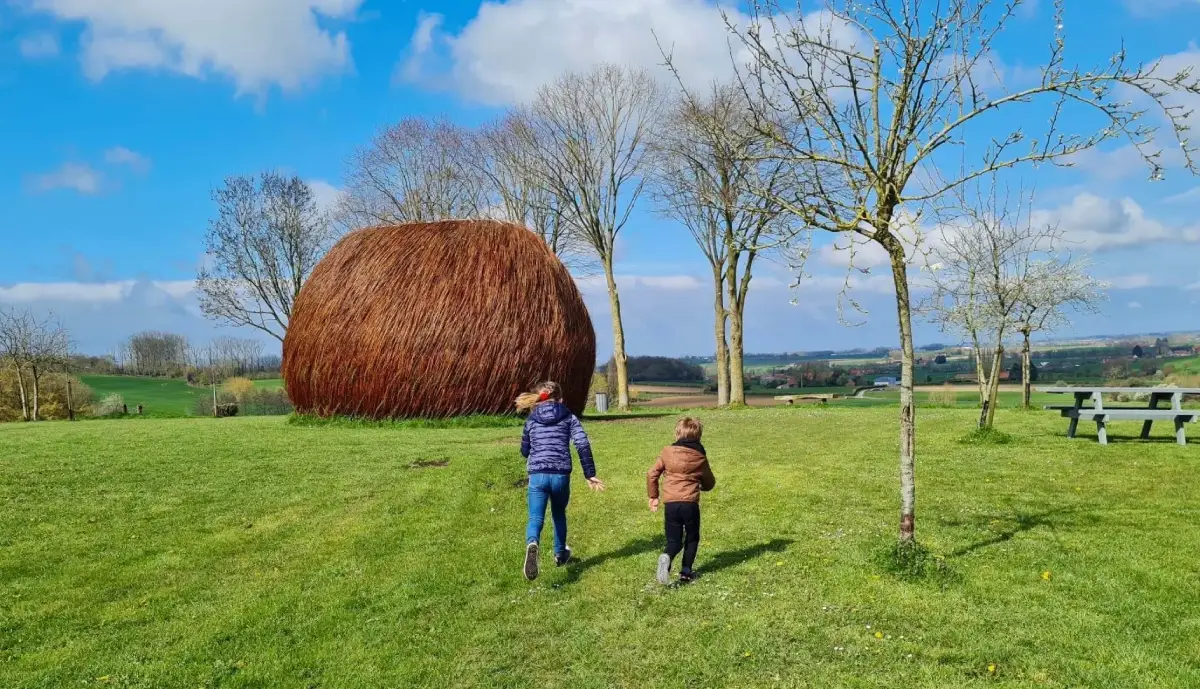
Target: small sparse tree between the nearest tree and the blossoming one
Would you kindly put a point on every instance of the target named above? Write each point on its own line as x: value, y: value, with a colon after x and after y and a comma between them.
x: 982, y: 271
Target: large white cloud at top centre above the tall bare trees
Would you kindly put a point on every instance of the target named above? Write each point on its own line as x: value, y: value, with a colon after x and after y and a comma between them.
x: 511, y: 49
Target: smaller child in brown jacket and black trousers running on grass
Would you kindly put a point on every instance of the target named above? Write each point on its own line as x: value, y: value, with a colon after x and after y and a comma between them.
x: 688, y: 474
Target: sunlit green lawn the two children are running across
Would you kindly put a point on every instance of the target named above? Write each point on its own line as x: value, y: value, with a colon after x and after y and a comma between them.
x: 251, y: 553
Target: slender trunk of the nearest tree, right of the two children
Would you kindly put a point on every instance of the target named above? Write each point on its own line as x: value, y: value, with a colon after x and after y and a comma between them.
x: 908, y: 409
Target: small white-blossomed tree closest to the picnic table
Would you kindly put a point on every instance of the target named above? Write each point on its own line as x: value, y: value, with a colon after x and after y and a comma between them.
x: 1058, y: 285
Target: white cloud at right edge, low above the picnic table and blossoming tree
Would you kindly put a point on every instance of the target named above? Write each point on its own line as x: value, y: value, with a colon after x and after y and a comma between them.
x: 1099, y: 224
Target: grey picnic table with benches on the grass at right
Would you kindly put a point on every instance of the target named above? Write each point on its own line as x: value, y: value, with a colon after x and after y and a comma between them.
x: 1147, y: 415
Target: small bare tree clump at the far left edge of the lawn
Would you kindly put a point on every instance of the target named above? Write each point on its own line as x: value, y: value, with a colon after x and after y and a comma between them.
x: 33, y: 349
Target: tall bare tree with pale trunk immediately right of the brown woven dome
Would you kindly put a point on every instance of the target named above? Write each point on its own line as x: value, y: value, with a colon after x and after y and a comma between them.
x: 590, y: 135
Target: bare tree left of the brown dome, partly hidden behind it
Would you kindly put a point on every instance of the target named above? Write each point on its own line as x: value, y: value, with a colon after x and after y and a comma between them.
x: 265, y: 243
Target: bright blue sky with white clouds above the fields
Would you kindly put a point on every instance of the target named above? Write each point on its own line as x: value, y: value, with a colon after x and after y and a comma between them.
x: 118, y: 119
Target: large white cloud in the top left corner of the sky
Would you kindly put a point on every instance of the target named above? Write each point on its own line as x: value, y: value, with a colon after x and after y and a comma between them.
x: 256, y: 44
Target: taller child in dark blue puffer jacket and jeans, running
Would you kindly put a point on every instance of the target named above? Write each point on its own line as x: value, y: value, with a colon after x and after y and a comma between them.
x: 549, y: 434
